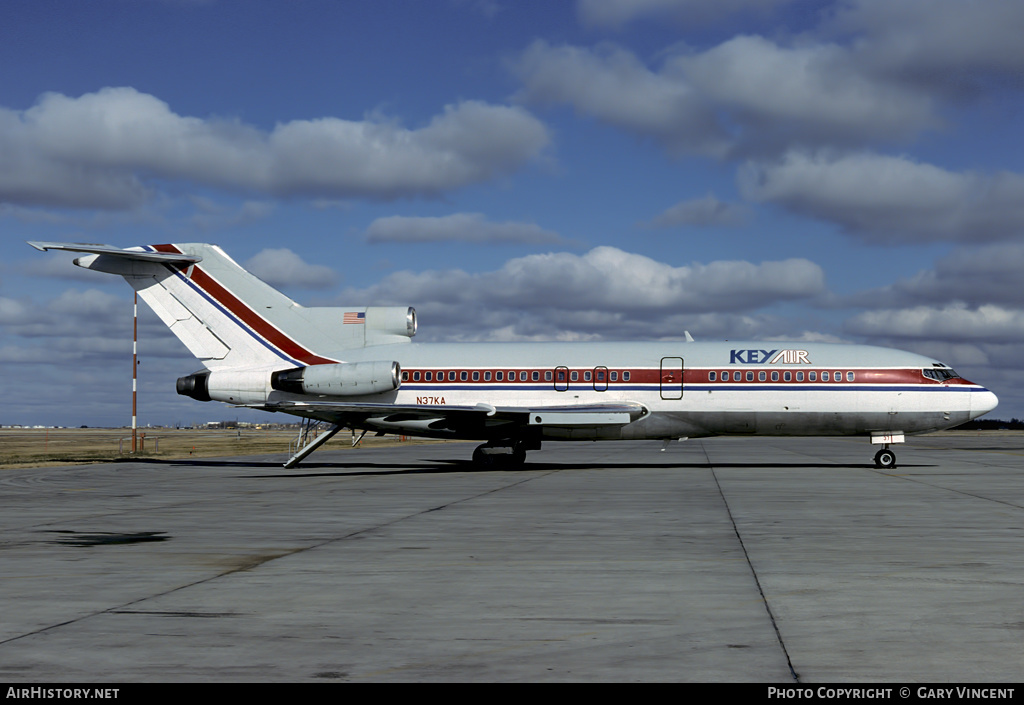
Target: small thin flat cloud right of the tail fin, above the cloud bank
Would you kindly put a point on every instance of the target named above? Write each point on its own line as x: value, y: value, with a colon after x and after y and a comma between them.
x: 471, y: 228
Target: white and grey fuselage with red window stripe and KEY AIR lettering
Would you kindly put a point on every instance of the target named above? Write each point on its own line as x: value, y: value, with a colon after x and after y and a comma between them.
x: 691, y: 389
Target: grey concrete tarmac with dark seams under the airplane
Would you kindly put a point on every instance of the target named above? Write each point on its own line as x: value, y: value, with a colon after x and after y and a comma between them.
x: 724, y: 560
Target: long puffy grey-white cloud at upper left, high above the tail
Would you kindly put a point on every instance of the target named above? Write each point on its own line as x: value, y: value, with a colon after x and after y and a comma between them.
x: 100, y: 150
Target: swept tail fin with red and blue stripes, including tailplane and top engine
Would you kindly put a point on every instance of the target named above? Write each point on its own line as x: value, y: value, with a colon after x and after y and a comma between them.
x: 229, y: 318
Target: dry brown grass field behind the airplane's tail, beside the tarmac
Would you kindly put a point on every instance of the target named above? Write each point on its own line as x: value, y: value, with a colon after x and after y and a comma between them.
x: 33, y: 447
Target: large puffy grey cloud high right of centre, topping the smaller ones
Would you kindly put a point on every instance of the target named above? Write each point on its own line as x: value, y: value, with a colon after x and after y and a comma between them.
x: 747, y: 96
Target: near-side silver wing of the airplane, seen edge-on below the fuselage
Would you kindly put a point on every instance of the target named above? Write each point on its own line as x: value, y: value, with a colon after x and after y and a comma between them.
x: 462, y: 418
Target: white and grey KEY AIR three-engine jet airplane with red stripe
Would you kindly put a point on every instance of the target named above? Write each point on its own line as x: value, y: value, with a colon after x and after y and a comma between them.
x: 357, y: 367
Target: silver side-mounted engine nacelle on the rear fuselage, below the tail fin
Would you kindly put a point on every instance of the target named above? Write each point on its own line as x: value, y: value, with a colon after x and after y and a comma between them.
x: 342, y: 380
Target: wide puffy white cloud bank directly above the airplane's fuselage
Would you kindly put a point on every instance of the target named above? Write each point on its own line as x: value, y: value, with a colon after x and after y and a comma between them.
x: 607, y: 293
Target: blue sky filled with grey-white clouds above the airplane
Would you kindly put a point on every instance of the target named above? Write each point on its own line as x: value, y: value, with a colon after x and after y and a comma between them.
x: 845, y: 172
